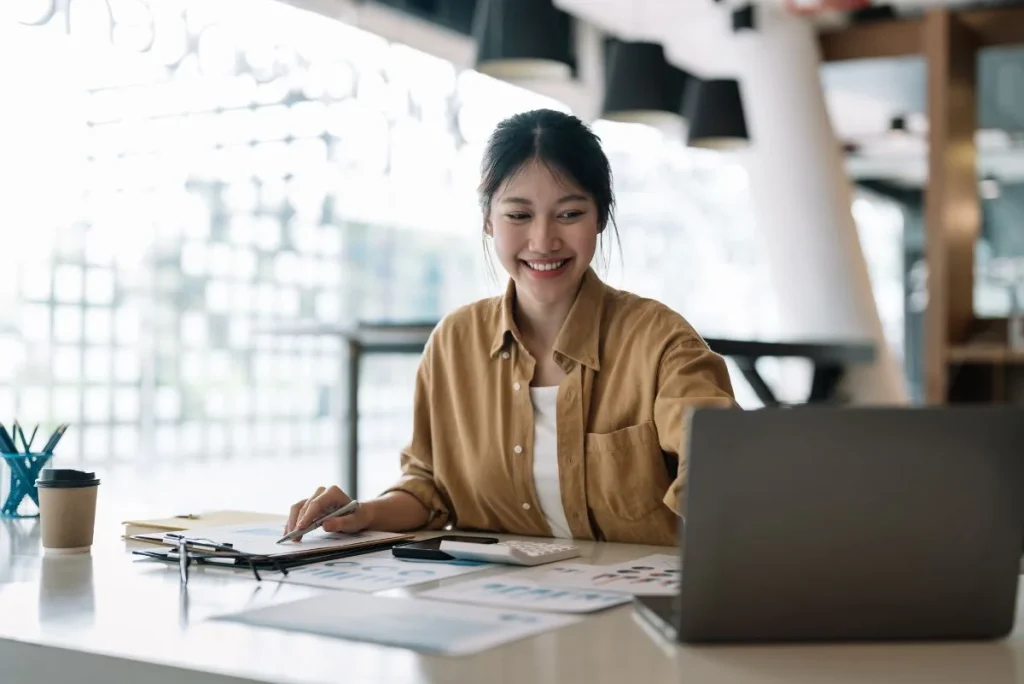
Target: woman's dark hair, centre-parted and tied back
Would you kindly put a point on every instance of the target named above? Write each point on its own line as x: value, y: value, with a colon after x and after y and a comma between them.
x: 564, y: 144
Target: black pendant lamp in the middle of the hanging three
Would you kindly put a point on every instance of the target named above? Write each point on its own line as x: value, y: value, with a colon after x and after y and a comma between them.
x: 641, y: 87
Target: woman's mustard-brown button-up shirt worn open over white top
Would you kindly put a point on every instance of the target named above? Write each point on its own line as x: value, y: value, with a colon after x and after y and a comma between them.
x: 634, y: 367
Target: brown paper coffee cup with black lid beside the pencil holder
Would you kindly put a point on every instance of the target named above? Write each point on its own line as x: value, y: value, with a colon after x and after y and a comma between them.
x: 67, y: 509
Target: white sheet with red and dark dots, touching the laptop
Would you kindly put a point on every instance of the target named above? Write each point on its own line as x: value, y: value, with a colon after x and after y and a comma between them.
x: 652, y: 576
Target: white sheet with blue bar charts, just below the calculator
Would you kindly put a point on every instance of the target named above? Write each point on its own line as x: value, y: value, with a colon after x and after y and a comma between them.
x: 502, y: 591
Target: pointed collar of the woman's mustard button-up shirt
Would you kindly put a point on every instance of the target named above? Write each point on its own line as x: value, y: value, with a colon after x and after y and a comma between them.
x: 580, y: 337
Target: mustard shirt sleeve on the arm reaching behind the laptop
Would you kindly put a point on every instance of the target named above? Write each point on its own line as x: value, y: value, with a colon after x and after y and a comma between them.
x: 691, y: 376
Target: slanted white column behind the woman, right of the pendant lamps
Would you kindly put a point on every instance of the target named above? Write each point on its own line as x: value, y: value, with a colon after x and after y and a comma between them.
x: 802, y: 201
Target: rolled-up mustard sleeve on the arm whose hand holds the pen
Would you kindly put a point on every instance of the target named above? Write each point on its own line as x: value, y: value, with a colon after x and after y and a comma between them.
x: 417, y: 459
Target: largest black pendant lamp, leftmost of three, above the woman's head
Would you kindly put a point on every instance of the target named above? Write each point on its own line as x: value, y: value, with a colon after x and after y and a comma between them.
x: 524, y: 39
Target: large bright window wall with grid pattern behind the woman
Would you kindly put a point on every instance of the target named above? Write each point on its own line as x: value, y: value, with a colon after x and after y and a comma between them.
x: 188, y: 182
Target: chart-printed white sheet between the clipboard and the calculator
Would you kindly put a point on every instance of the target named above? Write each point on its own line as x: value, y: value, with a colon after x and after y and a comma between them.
x: 375, y: 572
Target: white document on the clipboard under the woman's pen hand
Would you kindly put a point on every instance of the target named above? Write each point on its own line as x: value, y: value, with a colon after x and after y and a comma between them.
x: 260, y: 541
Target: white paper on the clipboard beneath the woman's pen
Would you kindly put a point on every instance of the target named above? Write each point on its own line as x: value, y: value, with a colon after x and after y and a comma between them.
x: 262, y: 539
